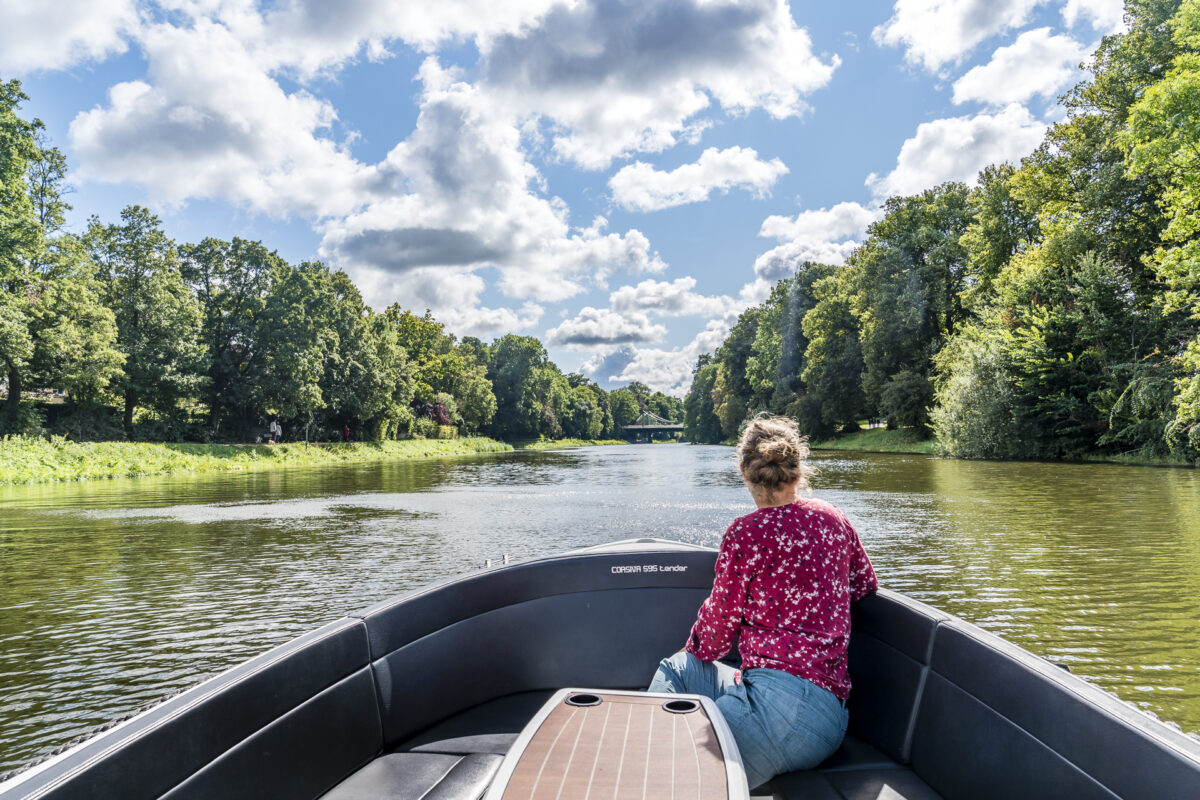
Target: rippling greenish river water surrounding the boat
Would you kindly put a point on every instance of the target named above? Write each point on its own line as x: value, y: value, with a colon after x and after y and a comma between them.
x: 117, y: 593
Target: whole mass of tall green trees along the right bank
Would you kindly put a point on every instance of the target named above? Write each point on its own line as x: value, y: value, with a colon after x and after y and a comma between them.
x: 1051, y: 311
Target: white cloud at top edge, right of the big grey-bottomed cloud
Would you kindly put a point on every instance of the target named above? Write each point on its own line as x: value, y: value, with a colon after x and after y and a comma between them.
x: 935, y: 33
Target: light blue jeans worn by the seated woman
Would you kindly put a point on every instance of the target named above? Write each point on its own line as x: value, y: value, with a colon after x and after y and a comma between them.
x: 781, y: 723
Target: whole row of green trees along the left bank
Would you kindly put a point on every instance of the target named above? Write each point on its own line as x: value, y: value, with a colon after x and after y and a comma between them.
x: 131, y: 335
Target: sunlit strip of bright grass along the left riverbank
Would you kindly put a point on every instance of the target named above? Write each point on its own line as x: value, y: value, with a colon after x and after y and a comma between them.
x: 39, y: 461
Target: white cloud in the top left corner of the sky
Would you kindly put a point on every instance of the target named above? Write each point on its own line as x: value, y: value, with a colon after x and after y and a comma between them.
x: 58, y: 34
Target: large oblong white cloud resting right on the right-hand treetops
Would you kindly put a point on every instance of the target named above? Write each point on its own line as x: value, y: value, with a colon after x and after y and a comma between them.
x: 956, y: 149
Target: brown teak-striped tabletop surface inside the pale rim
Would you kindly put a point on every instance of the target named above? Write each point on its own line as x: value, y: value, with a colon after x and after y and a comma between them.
x: 626, y: 748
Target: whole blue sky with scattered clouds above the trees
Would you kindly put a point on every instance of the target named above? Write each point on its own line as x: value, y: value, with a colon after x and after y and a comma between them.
x: 619, y: 178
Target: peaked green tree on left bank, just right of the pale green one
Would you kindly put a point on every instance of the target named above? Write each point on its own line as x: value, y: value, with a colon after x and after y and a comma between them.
x: 158, y: 318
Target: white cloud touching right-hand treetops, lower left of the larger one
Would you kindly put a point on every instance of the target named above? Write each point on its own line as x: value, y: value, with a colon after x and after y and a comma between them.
x: 821, y: 236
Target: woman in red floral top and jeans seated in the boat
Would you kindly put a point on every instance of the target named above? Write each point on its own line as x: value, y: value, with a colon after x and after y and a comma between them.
x: 785, y: 579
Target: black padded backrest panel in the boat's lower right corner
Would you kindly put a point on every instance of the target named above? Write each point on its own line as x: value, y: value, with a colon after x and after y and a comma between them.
x: 997, y: 721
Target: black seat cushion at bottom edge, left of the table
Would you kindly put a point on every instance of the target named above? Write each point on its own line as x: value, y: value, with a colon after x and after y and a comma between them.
x: 421, y: 777
